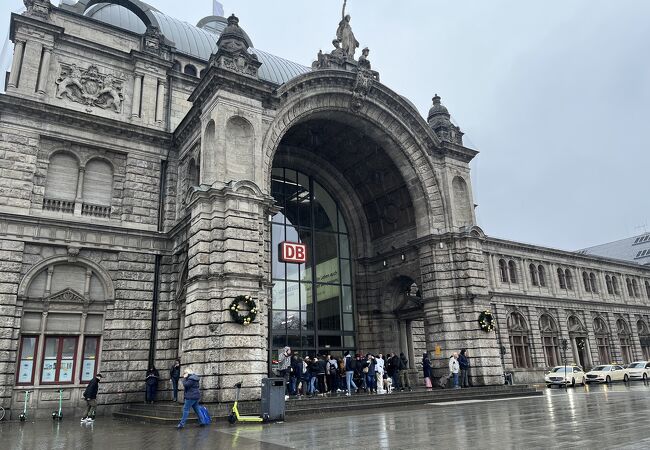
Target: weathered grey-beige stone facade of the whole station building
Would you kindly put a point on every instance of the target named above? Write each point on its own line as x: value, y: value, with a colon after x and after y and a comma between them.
x: 135, y: 196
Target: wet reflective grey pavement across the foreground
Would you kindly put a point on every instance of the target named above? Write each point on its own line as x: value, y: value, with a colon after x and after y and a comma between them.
x: 595, y: 417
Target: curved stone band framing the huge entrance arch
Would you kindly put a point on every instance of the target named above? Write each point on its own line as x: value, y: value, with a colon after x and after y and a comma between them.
x: 385, y: 117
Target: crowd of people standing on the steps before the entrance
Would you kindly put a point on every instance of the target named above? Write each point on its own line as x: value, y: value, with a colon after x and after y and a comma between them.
x: 329, y: 374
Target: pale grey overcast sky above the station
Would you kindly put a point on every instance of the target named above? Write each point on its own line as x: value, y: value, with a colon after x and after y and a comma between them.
x: 555, y: 94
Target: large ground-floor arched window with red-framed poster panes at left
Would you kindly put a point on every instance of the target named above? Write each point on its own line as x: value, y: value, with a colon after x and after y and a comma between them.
x: 74, y: 296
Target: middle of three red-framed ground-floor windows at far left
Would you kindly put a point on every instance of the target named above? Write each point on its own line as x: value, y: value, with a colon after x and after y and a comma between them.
x: 58, y: 359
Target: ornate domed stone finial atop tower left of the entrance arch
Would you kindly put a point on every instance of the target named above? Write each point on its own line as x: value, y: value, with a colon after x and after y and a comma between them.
x: 233, y: 52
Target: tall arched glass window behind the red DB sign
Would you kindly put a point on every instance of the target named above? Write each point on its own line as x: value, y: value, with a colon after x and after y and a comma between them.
x: 312, y: 307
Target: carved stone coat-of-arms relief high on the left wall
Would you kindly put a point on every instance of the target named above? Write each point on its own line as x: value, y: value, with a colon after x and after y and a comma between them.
x: 90, y: 87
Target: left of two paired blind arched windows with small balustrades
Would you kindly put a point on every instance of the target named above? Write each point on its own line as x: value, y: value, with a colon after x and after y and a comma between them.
x: 61, y: 183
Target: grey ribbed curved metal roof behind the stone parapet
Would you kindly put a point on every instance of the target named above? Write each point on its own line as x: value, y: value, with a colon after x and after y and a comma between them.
x: 196, y: 41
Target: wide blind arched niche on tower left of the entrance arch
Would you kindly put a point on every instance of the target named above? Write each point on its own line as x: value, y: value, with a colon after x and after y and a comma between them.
x: 240, y: 149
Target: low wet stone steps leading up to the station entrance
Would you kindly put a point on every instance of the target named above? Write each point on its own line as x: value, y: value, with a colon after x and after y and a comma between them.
x: 170, y: 413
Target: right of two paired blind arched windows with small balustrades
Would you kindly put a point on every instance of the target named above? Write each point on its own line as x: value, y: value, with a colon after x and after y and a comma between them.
x: 97, y: 189
